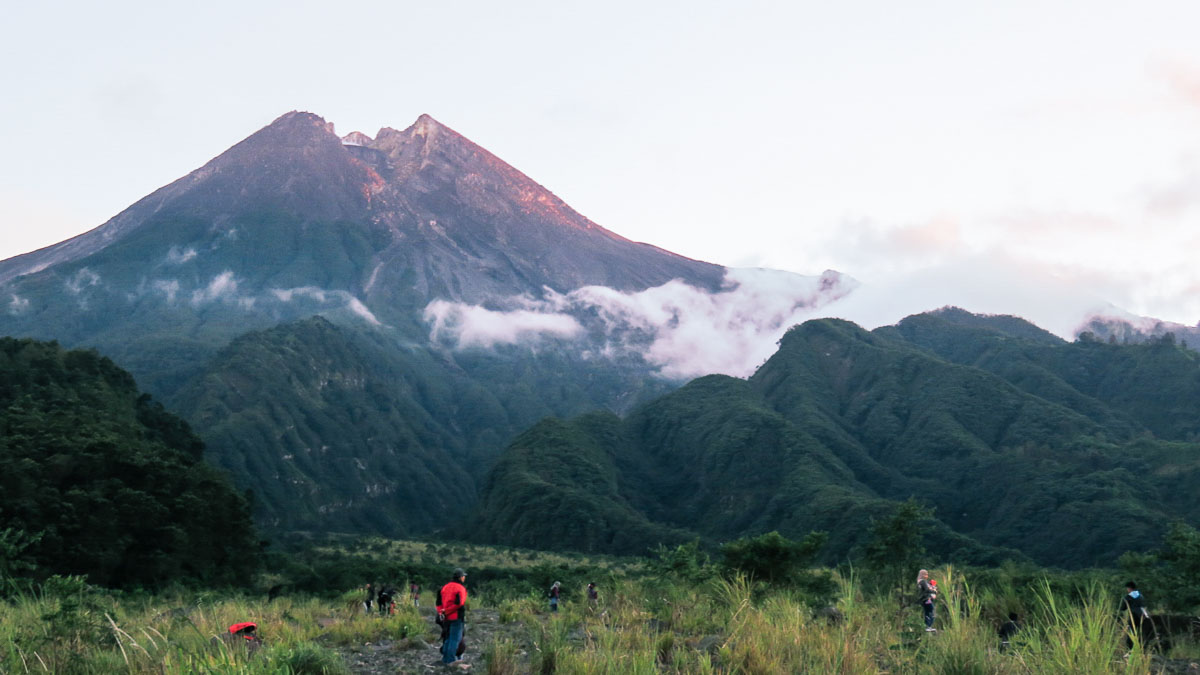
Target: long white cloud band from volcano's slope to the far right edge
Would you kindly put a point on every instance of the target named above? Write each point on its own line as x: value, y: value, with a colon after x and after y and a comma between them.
x: 686, y: 332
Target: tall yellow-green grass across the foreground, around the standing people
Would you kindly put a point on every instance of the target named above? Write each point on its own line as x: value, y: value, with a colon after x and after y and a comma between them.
x: 728, y: 626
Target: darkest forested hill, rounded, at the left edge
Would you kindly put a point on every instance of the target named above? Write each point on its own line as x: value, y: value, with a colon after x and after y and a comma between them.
x: 99, y: 480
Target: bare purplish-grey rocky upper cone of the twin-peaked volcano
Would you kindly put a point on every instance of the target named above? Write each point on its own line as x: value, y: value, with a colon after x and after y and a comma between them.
x: 427, y: 199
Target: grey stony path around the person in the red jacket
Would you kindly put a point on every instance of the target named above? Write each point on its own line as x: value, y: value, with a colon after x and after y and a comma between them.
x: 422, y: 655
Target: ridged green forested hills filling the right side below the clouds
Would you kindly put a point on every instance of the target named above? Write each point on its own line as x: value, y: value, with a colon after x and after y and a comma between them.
x: 1069, y: 453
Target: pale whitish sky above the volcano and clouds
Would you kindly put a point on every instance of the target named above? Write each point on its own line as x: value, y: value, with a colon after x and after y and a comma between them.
x: 889, y: 141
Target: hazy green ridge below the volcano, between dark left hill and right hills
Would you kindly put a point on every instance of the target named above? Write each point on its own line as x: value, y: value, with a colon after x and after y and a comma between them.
x: 345, y: 431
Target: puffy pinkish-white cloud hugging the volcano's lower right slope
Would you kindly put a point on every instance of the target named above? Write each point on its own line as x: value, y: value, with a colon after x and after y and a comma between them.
x: 682, y: 331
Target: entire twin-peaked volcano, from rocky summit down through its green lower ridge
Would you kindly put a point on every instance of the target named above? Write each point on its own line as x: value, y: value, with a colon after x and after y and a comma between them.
x: 277, y: 297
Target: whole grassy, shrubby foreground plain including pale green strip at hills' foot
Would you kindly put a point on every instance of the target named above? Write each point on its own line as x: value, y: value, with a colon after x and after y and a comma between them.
x: 677, y: 613
